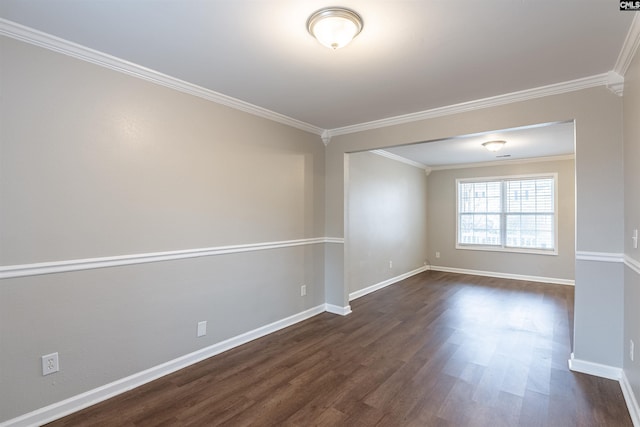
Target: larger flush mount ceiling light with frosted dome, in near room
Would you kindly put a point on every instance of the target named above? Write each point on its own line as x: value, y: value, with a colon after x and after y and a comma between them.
x: 334, y: 27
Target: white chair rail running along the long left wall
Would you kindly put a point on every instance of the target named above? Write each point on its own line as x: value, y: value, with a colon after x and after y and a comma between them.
x: 23, y: 270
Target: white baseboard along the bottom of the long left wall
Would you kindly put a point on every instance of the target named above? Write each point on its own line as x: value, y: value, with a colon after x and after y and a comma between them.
x: 99, y: 394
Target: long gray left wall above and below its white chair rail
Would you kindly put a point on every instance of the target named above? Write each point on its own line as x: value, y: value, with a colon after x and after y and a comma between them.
x: 95, y: 163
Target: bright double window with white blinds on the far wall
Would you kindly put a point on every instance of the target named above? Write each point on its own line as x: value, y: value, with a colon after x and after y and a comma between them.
x: 515, y: 214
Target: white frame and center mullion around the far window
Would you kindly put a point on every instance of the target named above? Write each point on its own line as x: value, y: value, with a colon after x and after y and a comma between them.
x: 503, y: 214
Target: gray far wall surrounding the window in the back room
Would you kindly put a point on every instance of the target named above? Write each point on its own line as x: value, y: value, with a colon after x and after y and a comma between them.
x: 442, y: 223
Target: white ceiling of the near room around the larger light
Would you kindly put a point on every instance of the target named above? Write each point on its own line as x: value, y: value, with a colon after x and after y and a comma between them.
x: 411, y: 56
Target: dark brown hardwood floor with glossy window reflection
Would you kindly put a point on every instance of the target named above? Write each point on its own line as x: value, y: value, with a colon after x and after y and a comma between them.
x: 437, y: 349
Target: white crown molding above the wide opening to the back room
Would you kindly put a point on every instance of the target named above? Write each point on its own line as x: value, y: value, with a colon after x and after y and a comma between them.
x: 494, y: 101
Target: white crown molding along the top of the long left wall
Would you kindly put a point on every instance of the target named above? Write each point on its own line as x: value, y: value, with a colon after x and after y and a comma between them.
x: 56, y: 44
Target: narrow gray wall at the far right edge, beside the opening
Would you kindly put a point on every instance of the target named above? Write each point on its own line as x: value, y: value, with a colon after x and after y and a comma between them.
x: 632, y: 221
